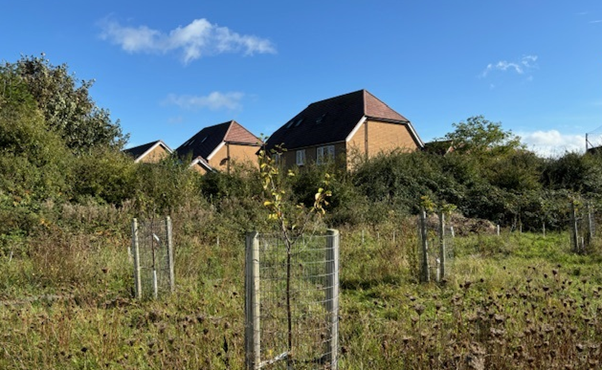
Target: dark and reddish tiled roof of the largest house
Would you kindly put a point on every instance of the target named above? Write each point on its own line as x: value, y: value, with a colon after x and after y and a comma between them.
x: 332, y: 120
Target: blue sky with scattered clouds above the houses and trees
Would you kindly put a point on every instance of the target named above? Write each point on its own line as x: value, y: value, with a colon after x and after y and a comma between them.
x: 166, y: 70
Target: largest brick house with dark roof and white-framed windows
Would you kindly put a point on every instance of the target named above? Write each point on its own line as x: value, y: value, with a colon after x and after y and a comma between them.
x: 354, y: 124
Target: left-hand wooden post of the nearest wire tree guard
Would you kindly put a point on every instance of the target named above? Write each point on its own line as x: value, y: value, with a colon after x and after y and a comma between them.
x: 252, y: 302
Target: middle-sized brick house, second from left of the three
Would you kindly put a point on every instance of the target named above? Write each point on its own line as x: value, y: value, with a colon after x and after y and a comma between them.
x: 217, y: 147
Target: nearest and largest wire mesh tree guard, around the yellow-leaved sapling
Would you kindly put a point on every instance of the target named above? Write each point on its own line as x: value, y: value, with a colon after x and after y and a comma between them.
x: 292, y: 314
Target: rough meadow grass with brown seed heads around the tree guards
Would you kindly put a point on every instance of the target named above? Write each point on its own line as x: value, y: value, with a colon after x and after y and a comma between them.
x: 517, y: 301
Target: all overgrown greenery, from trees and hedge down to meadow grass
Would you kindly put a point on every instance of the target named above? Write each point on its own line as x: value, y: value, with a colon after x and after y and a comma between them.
x: 68, y: 194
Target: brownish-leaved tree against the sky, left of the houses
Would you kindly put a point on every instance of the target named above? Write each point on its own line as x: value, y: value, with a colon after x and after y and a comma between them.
x: 66, y: 105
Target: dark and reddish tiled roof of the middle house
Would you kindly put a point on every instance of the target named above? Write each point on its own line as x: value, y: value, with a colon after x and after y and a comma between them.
x: 205, y: 142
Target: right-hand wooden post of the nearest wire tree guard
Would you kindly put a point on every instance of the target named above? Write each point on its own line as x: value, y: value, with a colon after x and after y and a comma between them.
x: 332, y: 296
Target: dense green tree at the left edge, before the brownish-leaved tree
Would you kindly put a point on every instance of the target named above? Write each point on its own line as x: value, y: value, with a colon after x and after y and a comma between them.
x: 33, y: 160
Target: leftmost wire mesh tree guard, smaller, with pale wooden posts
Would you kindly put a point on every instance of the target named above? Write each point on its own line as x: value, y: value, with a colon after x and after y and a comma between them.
x: 152, y: 251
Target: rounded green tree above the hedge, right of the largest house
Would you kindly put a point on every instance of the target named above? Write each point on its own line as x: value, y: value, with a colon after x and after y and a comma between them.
x: 478, y: 135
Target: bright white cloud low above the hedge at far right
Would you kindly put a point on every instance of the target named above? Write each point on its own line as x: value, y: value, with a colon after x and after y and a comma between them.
x: 552, y: 143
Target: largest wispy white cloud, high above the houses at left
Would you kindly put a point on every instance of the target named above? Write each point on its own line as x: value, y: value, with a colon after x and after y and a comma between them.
x: 198, y: 39
